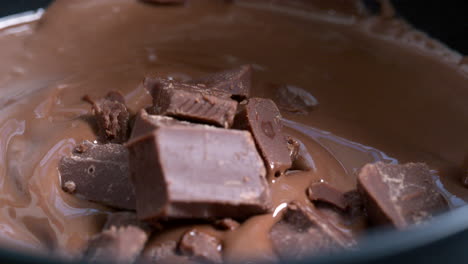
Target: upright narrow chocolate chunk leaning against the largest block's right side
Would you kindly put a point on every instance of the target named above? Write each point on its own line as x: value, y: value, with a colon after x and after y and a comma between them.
x: 263, y: 119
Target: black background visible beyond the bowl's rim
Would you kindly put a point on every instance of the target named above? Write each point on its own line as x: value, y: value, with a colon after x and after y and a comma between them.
x: 446, y: 20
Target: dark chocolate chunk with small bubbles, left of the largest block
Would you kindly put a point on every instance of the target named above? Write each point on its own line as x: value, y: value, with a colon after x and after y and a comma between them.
x: 99, y: 173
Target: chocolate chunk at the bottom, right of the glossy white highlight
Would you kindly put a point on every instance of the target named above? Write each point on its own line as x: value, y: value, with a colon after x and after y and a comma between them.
x: 303, y: 231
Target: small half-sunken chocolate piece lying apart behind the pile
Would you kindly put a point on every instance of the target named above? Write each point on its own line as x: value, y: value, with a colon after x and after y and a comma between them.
x: 295, y: 99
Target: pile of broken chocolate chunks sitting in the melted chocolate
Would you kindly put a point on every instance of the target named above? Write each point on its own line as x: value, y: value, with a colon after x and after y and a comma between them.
x: 206, y: 151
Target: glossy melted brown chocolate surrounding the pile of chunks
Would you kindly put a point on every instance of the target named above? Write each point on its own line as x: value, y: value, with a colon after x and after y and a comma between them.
x: 385, y: 93
